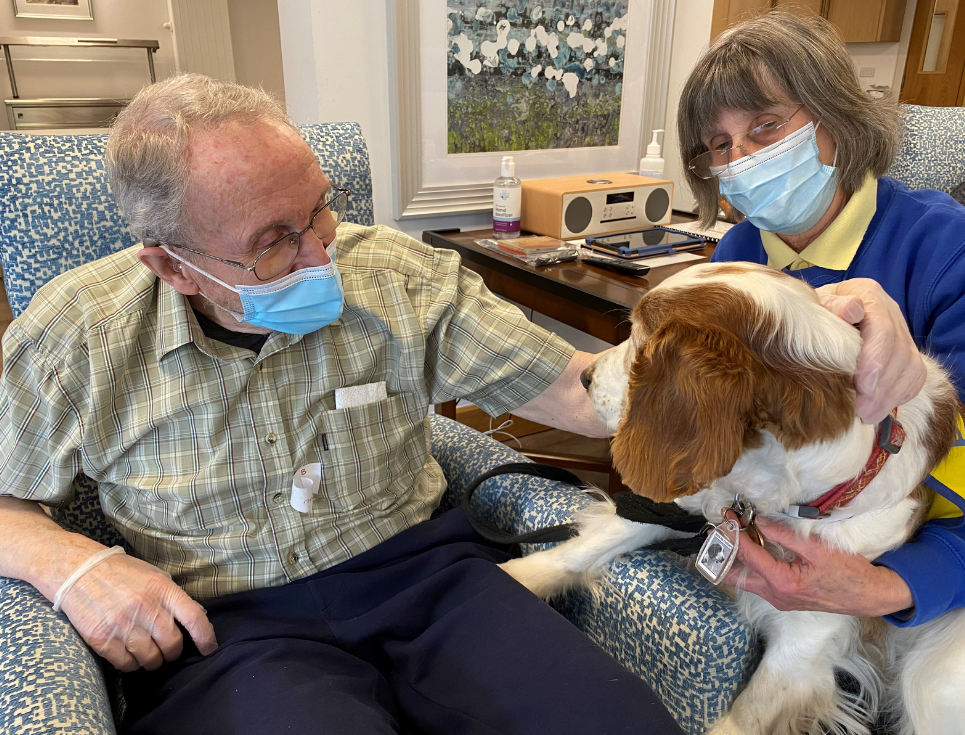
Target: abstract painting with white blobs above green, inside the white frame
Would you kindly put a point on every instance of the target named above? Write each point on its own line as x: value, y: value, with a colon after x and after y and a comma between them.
x: 534, y: 74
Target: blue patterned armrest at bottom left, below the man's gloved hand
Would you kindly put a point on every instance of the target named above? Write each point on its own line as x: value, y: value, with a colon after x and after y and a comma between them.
x: 51, y: 681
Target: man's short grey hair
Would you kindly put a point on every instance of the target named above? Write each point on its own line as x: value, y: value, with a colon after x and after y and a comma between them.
x: 147, y: 150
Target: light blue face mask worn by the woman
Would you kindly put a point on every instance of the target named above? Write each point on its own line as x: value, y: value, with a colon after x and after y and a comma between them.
x: 782, y: 188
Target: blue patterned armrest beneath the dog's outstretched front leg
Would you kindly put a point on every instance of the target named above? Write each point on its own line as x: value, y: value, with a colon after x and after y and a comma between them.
x: 660, y: 619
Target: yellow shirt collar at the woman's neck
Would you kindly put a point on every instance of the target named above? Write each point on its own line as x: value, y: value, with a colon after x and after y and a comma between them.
x: 834, y: 248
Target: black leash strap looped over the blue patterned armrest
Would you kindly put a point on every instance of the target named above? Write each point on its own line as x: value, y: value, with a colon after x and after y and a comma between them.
x: 634, y: 508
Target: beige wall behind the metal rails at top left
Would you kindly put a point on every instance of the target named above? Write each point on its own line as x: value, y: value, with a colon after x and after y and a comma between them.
x: 108, y: 72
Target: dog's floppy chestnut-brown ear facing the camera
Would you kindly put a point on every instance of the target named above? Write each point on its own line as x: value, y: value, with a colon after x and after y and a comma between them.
x: 690, y: 404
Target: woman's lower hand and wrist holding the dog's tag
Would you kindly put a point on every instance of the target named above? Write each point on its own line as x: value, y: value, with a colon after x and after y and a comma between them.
x: 821, y: 578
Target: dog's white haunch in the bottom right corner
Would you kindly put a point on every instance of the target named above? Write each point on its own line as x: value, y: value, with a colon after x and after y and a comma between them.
x: 930, y: 676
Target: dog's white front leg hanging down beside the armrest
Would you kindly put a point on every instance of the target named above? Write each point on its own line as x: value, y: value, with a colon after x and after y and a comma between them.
x: 793, y: 691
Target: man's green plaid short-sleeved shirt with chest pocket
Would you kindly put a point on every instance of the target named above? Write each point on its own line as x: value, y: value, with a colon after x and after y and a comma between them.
x: 194, y: 443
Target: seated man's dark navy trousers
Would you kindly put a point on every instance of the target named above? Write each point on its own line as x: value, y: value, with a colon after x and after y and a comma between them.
x: 421, y: 634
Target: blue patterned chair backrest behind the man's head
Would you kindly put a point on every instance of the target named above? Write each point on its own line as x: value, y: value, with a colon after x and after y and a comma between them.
x: 56, y: 211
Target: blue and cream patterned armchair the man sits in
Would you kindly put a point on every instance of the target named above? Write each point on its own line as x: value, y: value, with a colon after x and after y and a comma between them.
x: 655, y: 616
